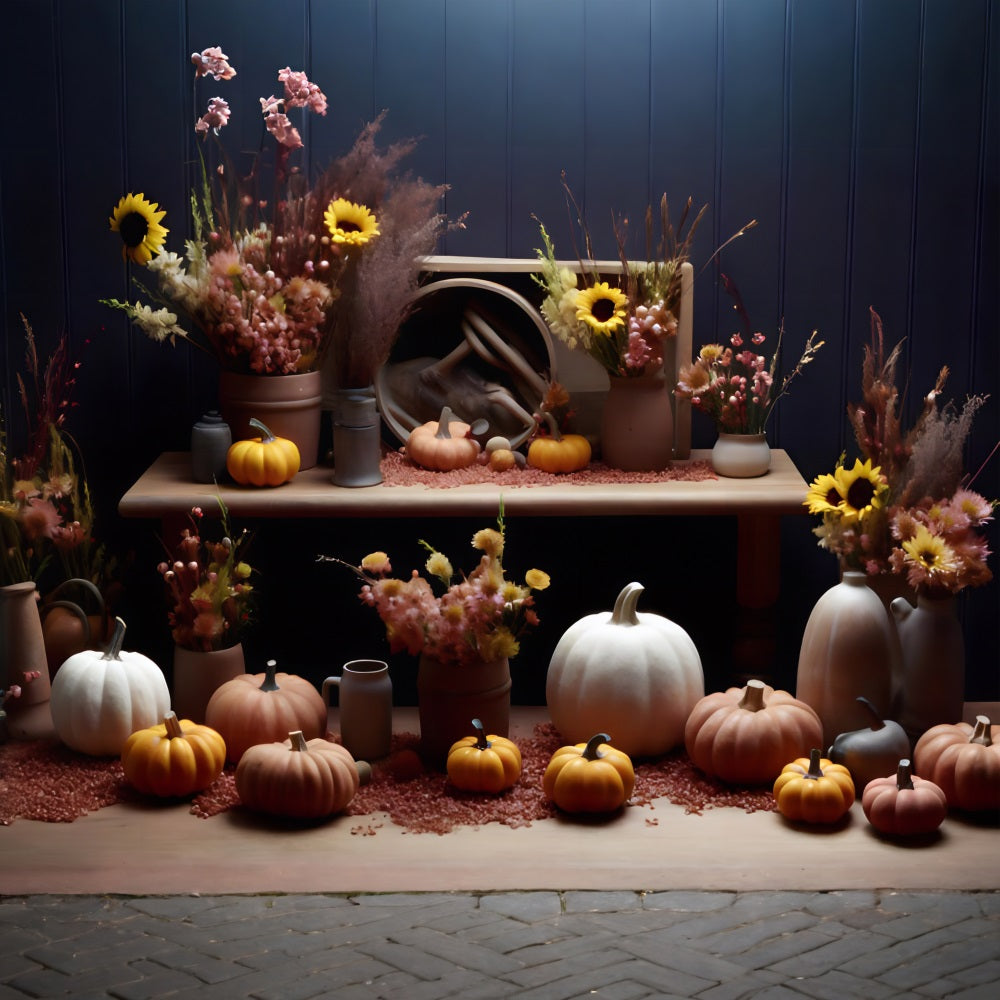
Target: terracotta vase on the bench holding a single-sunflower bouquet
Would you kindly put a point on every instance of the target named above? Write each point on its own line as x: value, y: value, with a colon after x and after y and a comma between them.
x: 637, y: 424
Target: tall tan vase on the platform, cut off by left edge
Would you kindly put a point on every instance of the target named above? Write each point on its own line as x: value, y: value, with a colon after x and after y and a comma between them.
x: 22, y: 652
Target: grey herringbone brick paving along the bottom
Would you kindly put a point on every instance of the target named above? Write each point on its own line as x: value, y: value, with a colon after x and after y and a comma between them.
x: 547, y: 945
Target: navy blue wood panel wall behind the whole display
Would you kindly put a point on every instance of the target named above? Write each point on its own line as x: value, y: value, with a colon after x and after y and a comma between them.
x: 862, y: 136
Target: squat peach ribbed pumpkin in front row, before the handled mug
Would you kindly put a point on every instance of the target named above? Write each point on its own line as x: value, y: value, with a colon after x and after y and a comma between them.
x: 304, y: 779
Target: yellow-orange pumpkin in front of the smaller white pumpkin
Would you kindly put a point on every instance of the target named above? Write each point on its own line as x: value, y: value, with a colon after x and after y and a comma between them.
x: 174, y: 759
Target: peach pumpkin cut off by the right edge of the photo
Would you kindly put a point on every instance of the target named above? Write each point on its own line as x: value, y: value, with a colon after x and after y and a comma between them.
x: 964, y: 761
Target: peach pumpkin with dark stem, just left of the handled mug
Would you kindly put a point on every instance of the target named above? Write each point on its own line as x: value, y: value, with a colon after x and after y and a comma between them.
x: 264, y: 708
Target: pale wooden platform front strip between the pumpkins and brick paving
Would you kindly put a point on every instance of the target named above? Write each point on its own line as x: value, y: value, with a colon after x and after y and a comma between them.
x: 136, y: 850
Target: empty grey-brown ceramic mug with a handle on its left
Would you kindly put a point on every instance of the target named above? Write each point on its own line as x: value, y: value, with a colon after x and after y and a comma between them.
x: 365, y: 700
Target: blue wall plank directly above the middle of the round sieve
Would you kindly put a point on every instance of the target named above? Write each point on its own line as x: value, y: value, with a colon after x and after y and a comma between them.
x: 476, y: 104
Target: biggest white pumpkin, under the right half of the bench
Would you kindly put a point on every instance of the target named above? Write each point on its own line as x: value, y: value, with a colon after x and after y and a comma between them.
x: 634, y: 676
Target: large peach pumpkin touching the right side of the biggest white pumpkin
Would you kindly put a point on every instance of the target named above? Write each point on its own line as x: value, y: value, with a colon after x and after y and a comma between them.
x: 746, y: 735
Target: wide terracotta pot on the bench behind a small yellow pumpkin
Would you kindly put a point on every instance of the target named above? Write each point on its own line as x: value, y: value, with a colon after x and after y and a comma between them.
x: 290, y: 406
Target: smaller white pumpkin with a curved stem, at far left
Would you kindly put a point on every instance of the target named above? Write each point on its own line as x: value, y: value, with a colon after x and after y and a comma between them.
x: 100, y: 699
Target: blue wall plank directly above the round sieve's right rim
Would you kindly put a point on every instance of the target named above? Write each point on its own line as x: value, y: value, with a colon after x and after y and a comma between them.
x: 547, y: 119
